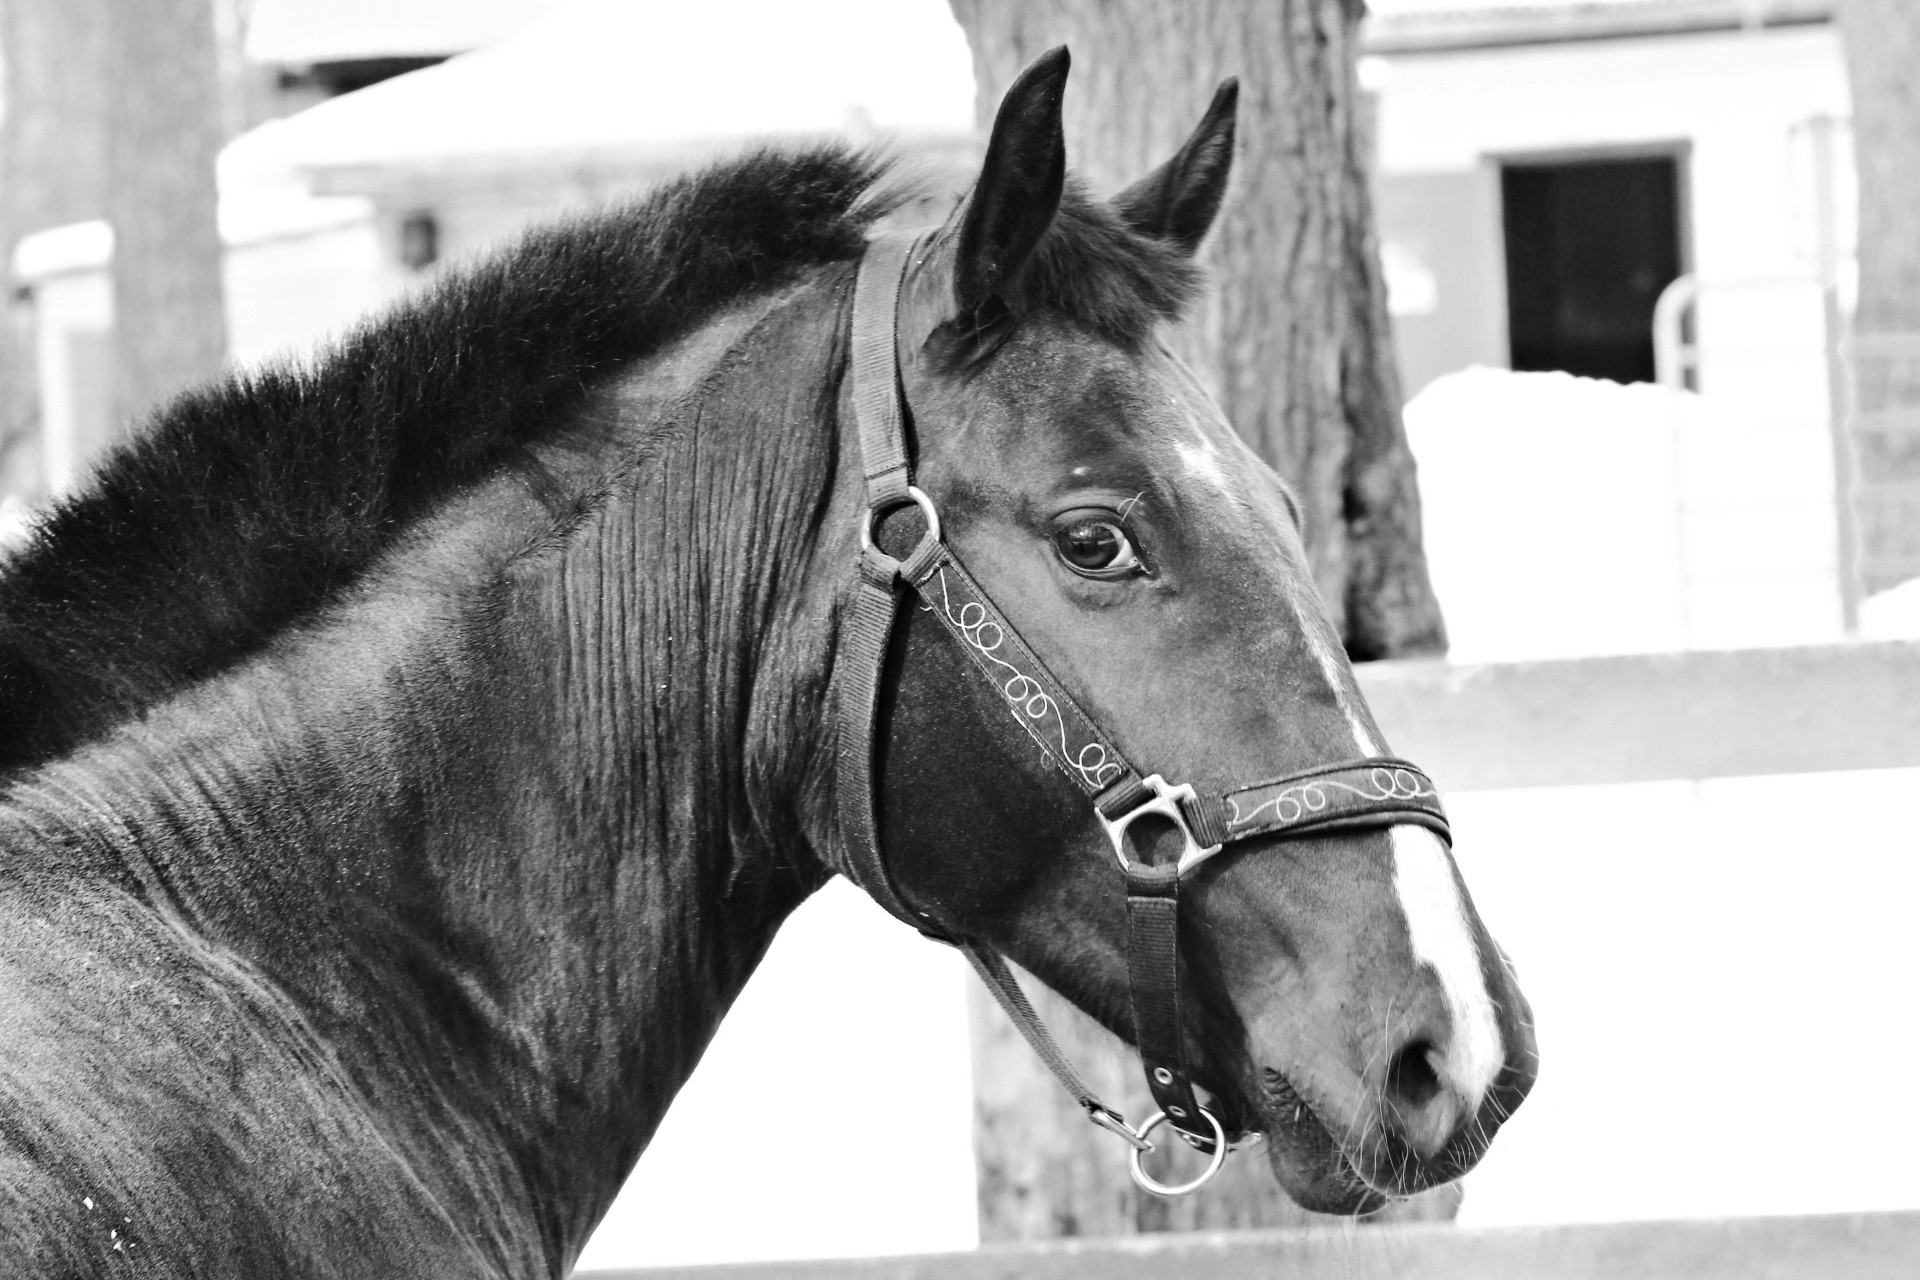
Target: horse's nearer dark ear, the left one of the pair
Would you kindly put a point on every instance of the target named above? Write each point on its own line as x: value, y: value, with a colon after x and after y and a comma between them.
x: 1019, y: 187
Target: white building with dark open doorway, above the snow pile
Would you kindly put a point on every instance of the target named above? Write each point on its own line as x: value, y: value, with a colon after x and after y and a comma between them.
x: 1548, y: 170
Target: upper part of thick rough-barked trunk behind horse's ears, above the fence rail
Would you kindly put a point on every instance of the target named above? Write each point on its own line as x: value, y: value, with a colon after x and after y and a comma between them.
x: 1295, y: 337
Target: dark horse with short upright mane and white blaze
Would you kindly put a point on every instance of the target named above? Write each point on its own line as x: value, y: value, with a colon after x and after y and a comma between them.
x: 410, y: 753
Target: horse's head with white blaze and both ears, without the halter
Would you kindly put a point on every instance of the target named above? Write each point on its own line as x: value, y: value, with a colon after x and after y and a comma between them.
x: 1341, y: 993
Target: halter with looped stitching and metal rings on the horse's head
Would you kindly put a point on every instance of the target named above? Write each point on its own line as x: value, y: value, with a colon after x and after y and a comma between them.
x: 1355, y: 794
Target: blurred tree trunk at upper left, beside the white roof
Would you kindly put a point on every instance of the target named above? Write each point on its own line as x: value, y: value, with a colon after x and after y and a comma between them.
x: 164, y: 135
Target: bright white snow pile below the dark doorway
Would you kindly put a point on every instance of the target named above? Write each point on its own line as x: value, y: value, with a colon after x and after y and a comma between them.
x: 1573, y: 517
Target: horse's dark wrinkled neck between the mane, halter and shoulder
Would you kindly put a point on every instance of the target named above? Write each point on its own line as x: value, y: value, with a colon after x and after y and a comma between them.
x: 516, y: 828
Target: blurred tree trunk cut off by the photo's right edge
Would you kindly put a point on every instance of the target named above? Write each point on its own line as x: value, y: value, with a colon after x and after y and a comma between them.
x: 1883, y: 41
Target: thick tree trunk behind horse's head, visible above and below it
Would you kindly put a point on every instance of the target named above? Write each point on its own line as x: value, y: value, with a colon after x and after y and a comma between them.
x: 1295, y: 344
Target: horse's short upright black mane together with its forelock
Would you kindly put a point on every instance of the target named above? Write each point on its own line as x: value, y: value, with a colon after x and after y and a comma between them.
x: 249, y: 506
